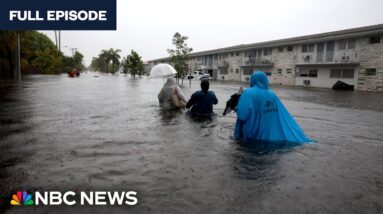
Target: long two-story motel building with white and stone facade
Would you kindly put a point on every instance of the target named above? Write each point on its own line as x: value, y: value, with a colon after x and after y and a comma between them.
x: 354, y: 56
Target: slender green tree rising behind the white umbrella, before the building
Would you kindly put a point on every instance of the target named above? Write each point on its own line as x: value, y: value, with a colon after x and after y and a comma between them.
x: 179, y: 56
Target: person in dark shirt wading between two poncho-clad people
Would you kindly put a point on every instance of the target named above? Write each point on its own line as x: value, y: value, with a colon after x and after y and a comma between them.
x: 201, y: 102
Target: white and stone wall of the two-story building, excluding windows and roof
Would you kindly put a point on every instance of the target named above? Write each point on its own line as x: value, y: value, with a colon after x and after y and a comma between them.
x: 364, y: 56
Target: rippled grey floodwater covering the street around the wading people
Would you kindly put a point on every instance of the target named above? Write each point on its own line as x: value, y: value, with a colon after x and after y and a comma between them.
x: 108, y: 133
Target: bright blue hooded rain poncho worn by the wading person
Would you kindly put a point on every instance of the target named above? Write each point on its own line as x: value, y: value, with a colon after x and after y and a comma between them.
x: 263, y: 117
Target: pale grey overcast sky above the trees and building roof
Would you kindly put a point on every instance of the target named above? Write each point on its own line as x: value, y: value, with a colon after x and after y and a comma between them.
x: 147, y: 26
